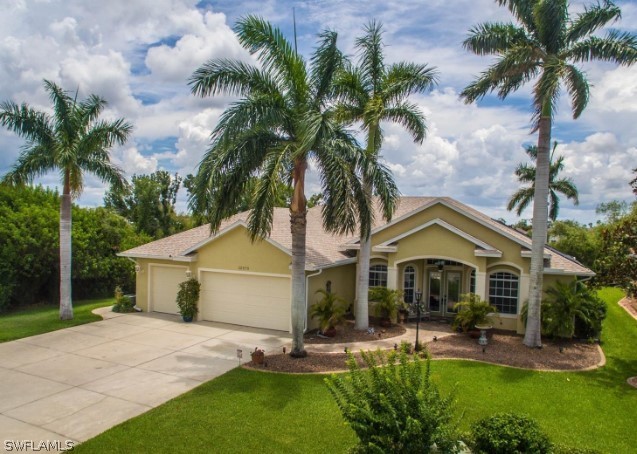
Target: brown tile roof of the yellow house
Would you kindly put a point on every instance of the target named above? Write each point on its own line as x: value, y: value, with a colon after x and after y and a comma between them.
x: 323, y: 248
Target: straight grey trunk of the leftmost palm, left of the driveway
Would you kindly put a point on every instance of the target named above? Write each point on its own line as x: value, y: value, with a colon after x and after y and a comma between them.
x: 66, y: 306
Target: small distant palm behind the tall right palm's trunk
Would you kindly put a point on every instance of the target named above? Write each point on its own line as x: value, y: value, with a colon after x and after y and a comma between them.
x: 526, y: 174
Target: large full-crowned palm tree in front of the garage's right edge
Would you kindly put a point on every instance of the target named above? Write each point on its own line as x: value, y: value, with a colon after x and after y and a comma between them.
x: 282, y: 119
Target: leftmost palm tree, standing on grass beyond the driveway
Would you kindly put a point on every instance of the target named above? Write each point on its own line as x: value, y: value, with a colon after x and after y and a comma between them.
x: 72, y: 141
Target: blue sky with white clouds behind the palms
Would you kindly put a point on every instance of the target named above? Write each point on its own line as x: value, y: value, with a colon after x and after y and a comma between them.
x: 139, y: 55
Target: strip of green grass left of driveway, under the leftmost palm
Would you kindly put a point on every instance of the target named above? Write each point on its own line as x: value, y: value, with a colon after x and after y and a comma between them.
x: 41, y: 319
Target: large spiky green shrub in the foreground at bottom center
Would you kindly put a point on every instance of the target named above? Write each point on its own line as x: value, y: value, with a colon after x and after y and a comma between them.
x: 394, y: 407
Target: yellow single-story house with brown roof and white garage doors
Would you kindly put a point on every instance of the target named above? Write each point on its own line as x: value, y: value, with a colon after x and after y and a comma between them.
x: 433, y: 244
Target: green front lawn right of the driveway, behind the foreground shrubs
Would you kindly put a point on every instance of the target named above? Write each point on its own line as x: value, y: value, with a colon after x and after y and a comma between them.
x: 245, y: 411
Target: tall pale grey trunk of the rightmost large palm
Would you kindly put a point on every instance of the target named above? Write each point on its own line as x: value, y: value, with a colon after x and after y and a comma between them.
x: 533, y: 334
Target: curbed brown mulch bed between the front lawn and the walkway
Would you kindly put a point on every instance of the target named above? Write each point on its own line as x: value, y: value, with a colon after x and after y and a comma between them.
x: 504, y: 349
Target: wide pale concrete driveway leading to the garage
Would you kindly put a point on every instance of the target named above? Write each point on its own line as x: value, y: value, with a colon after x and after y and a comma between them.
x: 75, y: 383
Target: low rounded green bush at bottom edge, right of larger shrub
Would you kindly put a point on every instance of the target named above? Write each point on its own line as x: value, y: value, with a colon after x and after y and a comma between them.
x: 508, y: 433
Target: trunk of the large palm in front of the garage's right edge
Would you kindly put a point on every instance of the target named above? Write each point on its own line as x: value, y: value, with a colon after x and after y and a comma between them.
x: 298, y: 227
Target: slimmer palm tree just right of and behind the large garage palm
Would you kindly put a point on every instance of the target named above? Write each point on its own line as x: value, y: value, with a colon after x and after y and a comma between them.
x: 371, y: 93
